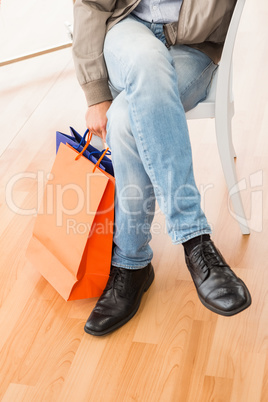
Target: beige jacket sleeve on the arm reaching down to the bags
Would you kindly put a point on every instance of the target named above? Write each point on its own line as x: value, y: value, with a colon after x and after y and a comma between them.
x: 90, y: 18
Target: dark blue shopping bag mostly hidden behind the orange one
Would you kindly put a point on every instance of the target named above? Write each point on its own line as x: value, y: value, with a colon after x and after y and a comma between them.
x: 78, y: 142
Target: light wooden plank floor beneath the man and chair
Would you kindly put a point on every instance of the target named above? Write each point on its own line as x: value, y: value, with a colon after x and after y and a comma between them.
x: 174, y: 349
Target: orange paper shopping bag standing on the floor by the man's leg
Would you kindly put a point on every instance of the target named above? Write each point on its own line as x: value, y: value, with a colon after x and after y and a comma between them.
x: 71, y: 245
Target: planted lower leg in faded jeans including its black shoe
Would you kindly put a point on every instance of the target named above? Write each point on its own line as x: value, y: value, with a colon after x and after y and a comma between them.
x: 131, y: 272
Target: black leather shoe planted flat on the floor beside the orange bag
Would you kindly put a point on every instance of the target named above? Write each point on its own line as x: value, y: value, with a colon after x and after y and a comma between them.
x: 120, y: 299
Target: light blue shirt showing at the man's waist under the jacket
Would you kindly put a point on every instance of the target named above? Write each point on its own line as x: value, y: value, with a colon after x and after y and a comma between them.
x: 158, y: 11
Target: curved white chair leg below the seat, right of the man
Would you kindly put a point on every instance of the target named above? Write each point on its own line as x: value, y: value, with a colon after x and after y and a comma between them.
x: 226, y: 152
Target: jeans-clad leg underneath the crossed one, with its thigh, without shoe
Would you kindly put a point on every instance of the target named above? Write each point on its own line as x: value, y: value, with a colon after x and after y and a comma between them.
x: 135, y: 195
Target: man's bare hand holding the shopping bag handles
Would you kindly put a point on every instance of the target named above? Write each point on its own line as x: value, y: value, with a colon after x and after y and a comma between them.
x: 96, y: 119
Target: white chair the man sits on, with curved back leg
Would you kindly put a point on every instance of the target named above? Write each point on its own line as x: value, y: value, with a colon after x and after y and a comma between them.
x: 220, y: 105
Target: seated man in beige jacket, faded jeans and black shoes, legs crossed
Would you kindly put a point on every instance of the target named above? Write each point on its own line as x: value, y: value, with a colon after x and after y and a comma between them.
x: 155, y: 60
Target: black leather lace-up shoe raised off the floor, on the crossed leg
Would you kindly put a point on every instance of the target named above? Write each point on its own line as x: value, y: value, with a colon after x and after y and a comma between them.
x: 218, y: 288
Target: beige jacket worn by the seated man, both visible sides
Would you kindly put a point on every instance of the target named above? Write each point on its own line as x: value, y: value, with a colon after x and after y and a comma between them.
x: 202, y: 24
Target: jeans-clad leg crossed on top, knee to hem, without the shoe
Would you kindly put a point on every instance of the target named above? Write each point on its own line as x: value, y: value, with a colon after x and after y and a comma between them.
x: 140, y: 64
